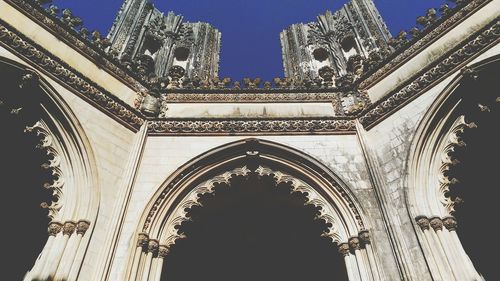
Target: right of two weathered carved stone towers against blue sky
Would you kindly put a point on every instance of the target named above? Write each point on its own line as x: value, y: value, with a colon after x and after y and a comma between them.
x: 336, y: 43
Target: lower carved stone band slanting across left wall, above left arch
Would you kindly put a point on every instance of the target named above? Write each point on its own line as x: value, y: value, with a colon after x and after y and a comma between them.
x: 68, y: 76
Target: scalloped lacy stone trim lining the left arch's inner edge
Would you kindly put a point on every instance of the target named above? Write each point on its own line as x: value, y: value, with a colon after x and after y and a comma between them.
x: 54, y: 165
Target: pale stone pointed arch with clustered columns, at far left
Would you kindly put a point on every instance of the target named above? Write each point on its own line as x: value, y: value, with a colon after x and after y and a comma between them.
x: 70, y: 160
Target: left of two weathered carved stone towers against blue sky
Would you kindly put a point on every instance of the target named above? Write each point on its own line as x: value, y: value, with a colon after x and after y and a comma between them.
x: 161, y: 43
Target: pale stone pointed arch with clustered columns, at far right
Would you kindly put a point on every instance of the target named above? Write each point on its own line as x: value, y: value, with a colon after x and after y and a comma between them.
x: 433, y: 156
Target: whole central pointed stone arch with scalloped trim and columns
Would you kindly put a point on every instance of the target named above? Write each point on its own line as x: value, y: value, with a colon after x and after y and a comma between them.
x: 169, y: 206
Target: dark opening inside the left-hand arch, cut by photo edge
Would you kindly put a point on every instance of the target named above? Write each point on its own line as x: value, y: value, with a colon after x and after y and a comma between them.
x: 22, y: 175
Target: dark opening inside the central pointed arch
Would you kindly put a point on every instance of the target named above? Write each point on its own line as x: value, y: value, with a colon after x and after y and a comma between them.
x: 254, y: 229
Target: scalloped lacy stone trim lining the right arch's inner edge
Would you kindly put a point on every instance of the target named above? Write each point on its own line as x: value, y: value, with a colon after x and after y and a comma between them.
x: 447, y: 161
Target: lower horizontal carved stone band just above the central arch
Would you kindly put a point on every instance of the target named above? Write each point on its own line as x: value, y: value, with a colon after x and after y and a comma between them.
x: 252, y: 126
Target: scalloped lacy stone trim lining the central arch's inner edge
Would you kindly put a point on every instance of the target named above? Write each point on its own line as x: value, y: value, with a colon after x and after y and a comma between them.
x: 179, y: 215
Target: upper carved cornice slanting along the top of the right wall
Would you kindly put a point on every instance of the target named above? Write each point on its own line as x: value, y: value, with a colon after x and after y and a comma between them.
x: 422, y: 42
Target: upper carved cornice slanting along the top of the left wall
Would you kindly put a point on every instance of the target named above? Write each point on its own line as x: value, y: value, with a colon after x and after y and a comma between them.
x: 70, y: 37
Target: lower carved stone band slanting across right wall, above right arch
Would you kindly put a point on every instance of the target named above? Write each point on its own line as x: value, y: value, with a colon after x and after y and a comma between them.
x: 447, y: 63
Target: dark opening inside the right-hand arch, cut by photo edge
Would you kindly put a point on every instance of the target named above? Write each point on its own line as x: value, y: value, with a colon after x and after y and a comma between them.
x: 477, y: 170
